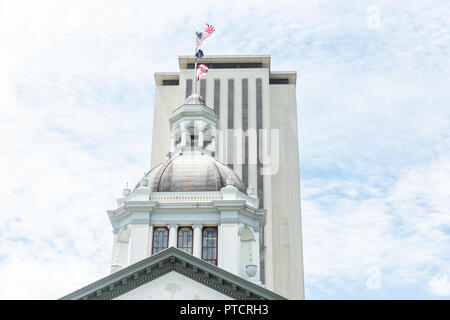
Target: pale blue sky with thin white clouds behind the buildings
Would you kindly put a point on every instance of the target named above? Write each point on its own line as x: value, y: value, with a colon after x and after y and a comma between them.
x: 373, y: 92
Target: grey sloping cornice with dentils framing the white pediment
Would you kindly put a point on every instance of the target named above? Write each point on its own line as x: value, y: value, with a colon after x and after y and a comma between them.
x: 167, y: 261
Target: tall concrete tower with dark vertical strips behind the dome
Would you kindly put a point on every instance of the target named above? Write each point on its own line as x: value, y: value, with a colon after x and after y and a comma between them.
x: 258, y: 138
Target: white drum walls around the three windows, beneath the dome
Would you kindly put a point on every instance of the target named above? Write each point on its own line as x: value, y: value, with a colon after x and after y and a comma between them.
x: 234, y: 213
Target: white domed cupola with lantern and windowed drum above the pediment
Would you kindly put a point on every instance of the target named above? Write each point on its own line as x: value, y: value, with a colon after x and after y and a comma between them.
x: 148, y: 220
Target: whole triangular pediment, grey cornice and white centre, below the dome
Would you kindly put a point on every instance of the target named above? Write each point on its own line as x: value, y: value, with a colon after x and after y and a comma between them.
x: 162, y: 271
